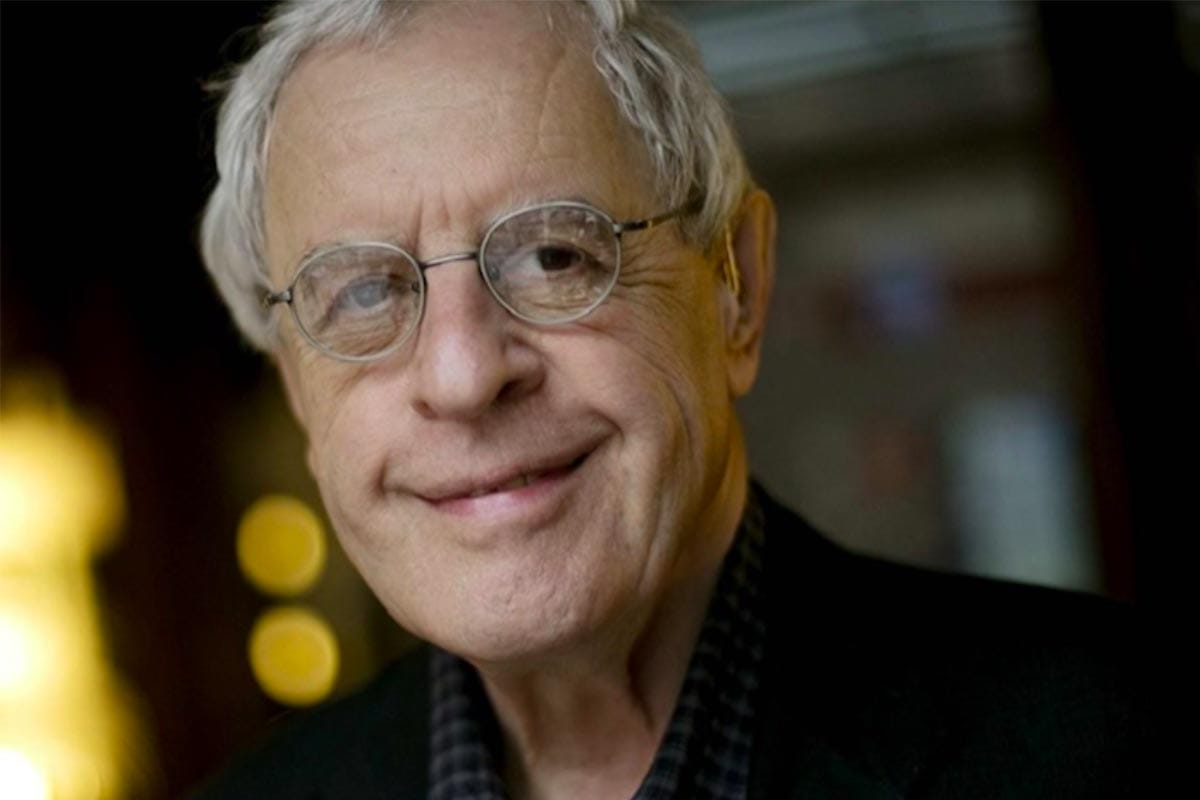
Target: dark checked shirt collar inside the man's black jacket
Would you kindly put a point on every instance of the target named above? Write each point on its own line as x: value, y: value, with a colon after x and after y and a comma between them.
x: 706, y: 751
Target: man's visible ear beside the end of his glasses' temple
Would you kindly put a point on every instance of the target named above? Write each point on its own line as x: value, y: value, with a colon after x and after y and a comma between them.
x: 751, y: 246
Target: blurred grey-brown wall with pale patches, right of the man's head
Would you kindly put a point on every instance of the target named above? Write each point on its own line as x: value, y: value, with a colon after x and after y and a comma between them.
x: 927, y: 381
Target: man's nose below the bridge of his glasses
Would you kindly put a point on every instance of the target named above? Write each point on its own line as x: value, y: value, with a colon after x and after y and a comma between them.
x: 467, y: 359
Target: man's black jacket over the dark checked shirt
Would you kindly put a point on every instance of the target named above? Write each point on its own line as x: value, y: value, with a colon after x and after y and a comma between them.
x: 881, y: 682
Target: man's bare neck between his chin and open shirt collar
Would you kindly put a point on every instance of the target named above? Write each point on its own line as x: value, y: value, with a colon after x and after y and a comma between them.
x: 589, y: 724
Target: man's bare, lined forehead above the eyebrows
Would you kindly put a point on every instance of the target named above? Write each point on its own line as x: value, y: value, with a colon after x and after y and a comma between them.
x: 469, y: 111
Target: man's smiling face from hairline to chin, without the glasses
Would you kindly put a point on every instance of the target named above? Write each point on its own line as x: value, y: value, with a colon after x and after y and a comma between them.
x: 507, y: 490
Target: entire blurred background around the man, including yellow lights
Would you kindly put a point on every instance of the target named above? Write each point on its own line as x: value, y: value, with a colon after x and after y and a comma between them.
x: 983, y: 352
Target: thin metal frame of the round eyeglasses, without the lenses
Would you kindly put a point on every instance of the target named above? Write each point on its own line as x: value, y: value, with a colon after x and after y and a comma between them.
x: 619, y: 228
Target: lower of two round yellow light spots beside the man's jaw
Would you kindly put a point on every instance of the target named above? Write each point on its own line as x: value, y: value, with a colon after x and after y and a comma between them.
x: 293, y: 654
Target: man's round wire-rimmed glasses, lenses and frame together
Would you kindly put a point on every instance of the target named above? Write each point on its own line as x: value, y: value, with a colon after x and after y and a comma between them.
x: 547, y: 264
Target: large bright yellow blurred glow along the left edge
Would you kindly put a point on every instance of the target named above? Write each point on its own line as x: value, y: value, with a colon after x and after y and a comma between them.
x: 67, y: 730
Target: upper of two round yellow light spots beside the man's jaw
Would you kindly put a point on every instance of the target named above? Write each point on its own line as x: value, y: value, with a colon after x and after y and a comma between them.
x: 281, y: 546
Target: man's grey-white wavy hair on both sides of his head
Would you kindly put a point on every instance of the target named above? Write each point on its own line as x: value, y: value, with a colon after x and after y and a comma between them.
x: 651, y: 67
